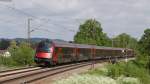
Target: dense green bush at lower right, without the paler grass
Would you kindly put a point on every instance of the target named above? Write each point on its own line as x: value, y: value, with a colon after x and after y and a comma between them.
x: 130, y: 69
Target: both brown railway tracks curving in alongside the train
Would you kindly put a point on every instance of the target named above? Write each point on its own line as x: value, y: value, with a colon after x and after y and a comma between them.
x: 33, y: 74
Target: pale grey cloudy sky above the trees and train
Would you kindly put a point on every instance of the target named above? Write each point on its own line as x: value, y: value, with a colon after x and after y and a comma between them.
x: 60, y: 19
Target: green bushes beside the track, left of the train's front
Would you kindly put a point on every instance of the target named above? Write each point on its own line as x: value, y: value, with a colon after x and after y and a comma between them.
x: 21, y: 55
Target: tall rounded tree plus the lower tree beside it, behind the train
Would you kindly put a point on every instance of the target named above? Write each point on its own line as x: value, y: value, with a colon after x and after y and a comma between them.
x: 91, y: 32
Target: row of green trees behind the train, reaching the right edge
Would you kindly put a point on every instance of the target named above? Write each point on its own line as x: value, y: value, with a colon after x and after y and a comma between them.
x: 91, y: 32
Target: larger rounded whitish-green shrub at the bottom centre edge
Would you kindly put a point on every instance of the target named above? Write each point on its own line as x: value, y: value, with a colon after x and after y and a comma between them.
x: 86, y: 79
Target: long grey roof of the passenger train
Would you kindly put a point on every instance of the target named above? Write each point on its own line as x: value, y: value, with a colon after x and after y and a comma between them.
x: 72, y: 45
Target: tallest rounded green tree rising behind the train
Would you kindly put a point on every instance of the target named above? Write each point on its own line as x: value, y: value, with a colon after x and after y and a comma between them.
x: 91, y: 33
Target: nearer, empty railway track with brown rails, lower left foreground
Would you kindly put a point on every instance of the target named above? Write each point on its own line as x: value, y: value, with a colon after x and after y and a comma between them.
x: 36, y: 74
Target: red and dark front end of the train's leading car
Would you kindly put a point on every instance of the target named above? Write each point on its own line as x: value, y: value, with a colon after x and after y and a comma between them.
x: 44, y: 52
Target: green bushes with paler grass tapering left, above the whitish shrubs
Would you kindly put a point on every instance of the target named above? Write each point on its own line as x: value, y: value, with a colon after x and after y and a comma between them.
x: 131, y: 69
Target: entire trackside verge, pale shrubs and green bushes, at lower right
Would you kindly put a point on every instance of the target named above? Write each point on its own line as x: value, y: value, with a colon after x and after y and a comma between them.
x: 119, y: 73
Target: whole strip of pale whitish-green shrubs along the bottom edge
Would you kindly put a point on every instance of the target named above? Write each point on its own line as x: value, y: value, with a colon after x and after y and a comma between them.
x: 95, y: 79
